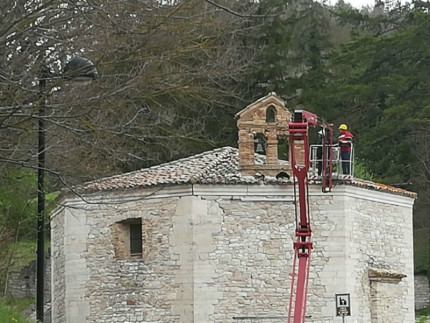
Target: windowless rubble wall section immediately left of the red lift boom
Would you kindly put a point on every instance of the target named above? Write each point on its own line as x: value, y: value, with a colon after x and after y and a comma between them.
x: 251, y: 258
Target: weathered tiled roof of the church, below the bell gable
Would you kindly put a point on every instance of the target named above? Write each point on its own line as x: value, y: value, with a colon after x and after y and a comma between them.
x: 219, y: 166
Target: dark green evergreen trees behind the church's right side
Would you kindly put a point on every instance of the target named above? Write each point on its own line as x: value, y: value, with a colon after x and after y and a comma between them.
x: 380, y: 88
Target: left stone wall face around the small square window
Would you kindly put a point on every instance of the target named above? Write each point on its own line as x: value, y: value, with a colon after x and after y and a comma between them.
x: 102, y: 288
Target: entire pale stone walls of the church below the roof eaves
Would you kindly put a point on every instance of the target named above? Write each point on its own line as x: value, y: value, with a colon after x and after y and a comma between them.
x: 224, y: 254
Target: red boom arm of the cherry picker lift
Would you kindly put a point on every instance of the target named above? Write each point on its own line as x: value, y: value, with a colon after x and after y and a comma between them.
x: 298, y: 134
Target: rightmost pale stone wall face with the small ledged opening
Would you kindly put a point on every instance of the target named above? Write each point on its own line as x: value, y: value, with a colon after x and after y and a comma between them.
x: 381, y: 238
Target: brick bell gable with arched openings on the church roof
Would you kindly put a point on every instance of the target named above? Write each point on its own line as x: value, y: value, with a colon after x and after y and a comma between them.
x: 263, y: 126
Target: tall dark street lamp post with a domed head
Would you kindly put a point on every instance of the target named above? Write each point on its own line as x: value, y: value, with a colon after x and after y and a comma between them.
x: 80, y: 70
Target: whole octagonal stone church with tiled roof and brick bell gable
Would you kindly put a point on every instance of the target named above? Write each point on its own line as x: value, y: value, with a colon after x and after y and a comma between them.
x: 209, y: 238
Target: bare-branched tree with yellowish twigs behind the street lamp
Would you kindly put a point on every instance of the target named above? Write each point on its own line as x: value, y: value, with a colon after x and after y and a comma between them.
x: 169, y: 81
